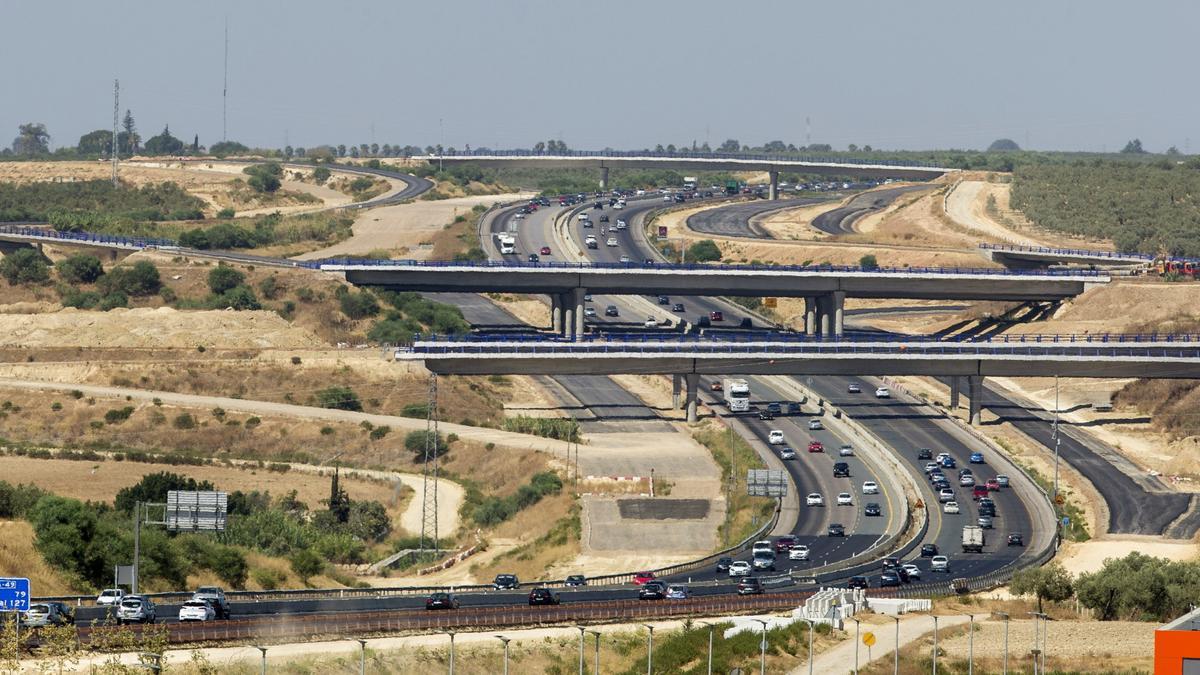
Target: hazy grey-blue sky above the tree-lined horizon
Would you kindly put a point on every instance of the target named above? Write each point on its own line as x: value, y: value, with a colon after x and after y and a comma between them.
x: 937, y: 74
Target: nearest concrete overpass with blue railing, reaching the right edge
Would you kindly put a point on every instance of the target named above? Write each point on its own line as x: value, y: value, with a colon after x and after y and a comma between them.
x: 1172, y: 357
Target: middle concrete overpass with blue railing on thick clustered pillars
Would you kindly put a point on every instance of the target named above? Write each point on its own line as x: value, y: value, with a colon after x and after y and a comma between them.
x: 825, y: 288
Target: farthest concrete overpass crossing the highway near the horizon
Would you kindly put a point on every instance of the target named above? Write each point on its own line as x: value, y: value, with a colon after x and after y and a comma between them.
x: 772, y: 165
